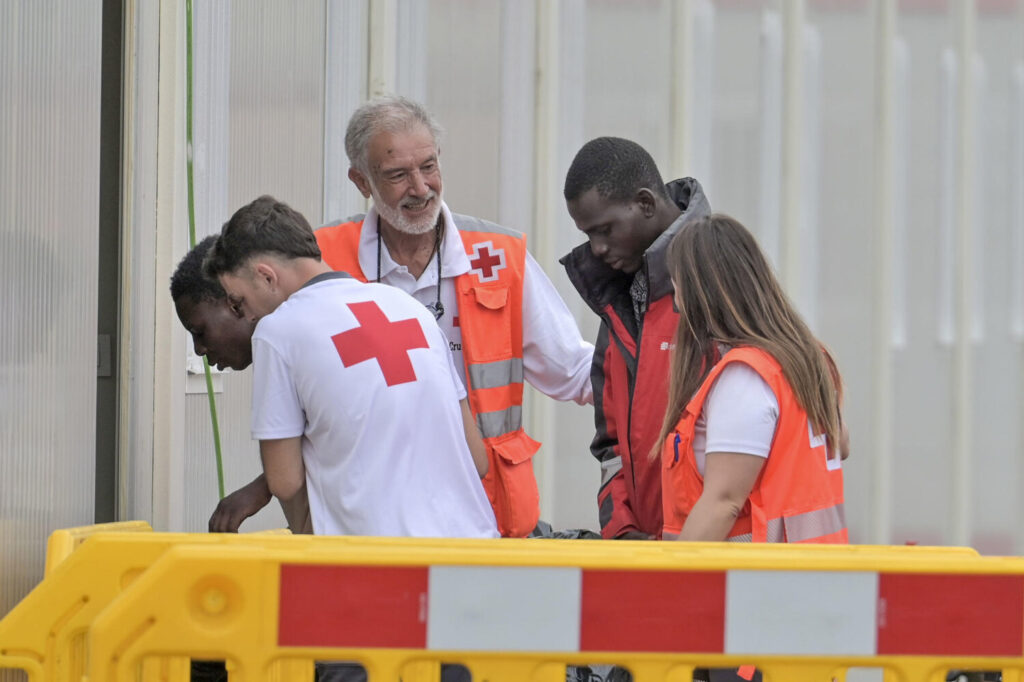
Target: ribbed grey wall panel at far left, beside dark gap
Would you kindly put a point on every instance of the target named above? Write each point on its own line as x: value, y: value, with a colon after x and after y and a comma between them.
x: 50, y: 195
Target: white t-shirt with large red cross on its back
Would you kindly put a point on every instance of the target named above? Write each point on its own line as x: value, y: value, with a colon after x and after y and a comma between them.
x: 363, y: 373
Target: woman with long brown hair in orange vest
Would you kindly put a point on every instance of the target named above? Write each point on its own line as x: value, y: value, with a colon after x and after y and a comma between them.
x: 753, y: 440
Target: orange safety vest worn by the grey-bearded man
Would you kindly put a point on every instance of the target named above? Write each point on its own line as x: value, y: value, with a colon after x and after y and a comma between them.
x: 491, y: 321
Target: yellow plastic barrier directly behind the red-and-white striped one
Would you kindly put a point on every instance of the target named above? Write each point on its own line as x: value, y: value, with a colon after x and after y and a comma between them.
x: 45, y: 635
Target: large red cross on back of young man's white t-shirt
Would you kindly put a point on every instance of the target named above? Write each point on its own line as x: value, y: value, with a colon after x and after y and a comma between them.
x: 379, y: 338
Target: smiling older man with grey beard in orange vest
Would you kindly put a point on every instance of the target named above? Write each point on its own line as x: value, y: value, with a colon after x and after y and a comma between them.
x: 504, y: 320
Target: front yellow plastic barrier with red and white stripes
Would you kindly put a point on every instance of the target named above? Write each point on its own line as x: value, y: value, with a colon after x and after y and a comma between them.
x: 524, y: 610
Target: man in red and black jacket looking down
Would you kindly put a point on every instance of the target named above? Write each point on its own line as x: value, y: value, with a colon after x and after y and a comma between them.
x: 618, y: 200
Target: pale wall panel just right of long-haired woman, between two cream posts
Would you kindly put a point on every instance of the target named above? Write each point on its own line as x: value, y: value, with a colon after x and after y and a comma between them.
x: 844, y: 252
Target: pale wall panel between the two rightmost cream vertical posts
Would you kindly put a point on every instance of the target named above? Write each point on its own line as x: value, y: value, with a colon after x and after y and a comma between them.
x: 923, y: 405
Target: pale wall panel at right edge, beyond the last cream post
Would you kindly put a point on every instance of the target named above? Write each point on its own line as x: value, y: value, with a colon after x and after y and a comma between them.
x: 997, y: 466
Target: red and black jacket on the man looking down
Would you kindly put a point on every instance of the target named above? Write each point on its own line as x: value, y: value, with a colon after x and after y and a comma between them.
x: 631, y: 372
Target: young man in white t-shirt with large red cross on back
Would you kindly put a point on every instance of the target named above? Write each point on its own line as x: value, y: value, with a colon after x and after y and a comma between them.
x: 356, y: 398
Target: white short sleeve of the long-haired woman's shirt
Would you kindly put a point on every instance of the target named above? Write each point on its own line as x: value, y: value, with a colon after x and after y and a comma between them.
x: 740, y: 415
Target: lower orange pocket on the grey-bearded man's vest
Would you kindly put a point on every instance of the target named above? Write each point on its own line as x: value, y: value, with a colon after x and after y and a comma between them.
x: 511, y: 486
